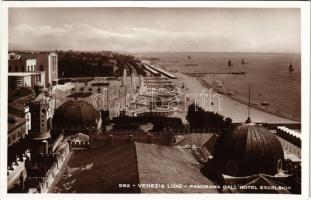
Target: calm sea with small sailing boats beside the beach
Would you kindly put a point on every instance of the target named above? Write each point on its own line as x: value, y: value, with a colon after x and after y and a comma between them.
x: 273, y: 87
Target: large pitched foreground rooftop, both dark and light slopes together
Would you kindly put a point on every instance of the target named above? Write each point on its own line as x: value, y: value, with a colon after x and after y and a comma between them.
x: 102, y: 169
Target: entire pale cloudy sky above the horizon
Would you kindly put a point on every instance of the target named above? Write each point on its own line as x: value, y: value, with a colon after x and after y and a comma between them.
x: 156, y: 29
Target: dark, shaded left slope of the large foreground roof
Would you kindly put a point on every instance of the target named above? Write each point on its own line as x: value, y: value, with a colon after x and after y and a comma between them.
x: 99, y: 170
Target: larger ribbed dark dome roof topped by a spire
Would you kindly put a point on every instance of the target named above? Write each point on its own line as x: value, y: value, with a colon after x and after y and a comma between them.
x: 250, y: 149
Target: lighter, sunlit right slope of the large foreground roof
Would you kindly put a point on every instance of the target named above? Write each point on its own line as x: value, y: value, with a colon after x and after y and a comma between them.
x: 169, y: 165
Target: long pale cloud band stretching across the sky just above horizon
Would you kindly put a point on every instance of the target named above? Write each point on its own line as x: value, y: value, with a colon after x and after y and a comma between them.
x: 80, y: 36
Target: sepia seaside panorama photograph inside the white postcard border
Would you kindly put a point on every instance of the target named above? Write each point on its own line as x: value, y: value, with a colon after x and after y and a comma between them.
x: 154, y: 100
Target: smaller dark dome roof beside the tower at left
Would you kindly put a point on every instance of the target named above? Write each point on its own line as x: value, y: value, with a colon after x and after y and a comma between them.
x: 75, y: 115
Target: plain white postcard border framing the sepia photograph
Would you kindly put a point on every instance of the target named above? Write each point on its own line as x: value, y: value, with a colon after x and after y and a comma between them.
x: 305, y: 91
